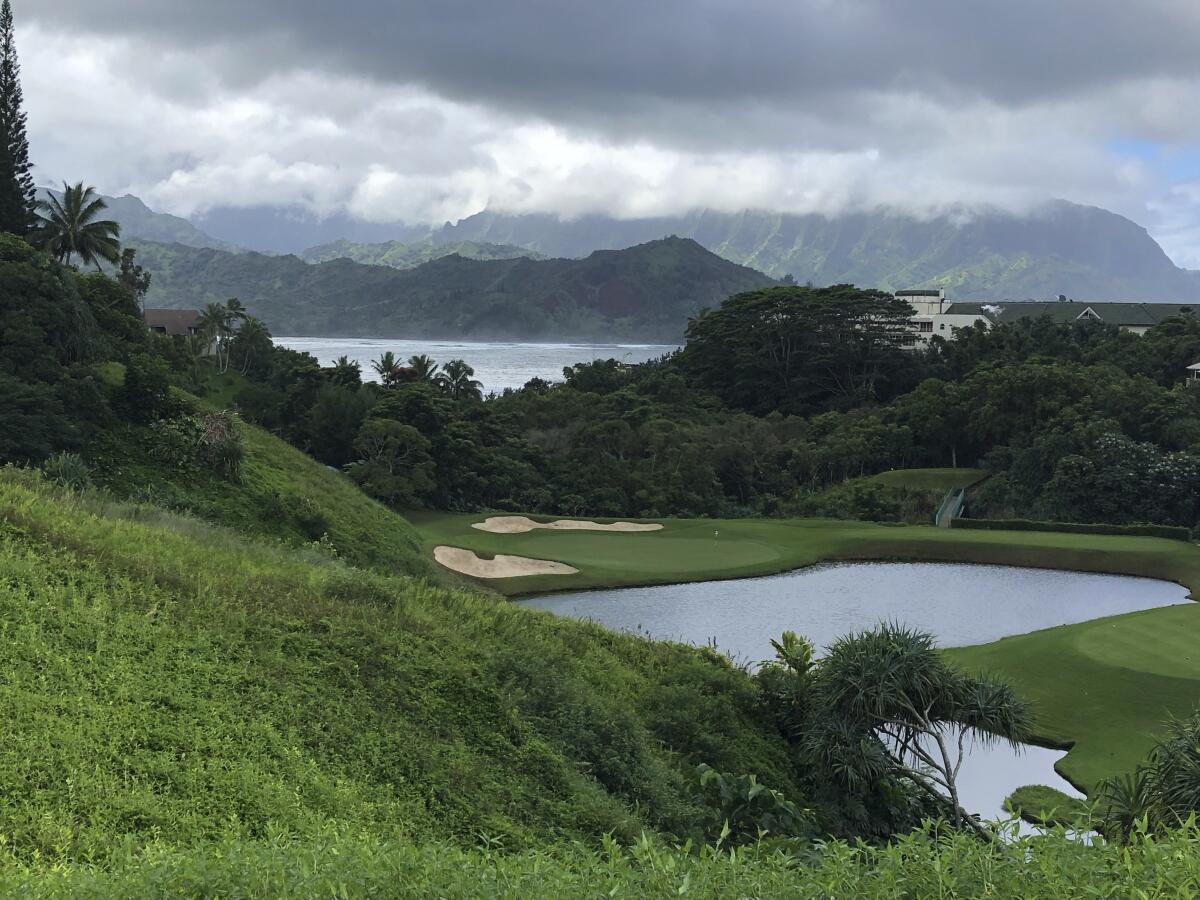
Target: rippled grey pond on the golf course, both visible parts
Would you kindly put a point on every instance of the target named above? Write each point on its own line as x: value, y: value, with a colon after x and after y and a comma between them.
x: 958, y: 604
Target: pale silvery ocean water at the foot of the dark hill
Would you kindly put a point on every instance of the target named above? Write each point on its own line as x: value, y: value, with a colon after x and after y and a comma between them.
x: 499, y: 365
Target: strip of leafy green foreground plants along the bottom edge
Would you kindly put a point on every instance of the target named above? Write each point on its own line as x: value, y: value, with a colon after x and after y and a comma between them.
x: 917, y: 866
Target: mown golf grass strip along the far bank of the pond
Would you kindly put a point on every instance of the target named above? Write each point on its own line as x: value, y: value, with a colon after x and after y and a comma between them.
x: 703, y: 550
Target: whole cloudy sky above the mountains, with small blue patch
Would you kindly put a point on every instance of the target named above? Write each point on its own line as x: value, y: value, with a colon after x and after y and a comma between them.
x: 430, y: 112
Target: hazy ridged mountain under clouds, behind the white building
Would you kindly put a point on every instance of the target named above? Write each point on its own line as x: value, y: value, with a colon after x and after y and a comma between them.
x: 1061, y: 249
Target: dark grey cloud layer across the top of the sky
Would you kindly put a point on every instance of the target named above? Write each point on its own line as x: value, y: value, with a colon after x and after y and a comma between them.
x: 604, y: 62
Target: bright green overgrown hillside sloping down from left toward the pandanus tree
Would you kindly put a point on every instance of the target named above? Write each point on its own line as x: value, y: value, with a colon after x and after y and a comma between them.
x: 175, y: 683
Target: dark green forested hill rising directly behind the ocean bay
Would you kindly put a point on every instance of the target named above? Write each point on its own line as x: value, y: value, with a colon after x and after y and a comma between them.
x: 645, y: 293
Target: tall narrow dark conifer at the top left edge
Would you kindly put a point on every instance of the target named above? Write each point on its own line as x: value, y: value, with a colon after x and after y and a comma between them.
x: 17, y: 199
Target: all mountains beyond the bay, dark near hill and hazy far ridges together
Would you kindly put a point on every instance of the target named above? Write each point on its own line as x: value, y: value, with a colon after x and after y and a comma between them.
x: 1084, y: 253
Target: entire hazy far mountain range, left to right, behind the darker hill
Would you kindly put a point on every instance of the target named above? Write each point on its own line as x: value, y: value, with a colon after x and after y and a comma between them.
x: 1085, y: 253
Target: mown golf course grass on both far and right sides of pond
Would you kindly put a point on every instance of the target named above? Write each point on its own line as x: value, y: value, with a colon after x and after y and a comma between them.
x: 1102, y: 688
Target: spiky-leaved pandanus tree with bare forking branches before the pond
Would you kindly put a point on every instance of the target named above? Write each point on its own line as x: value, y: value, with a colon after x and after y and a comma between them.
x: 886, y: 705
